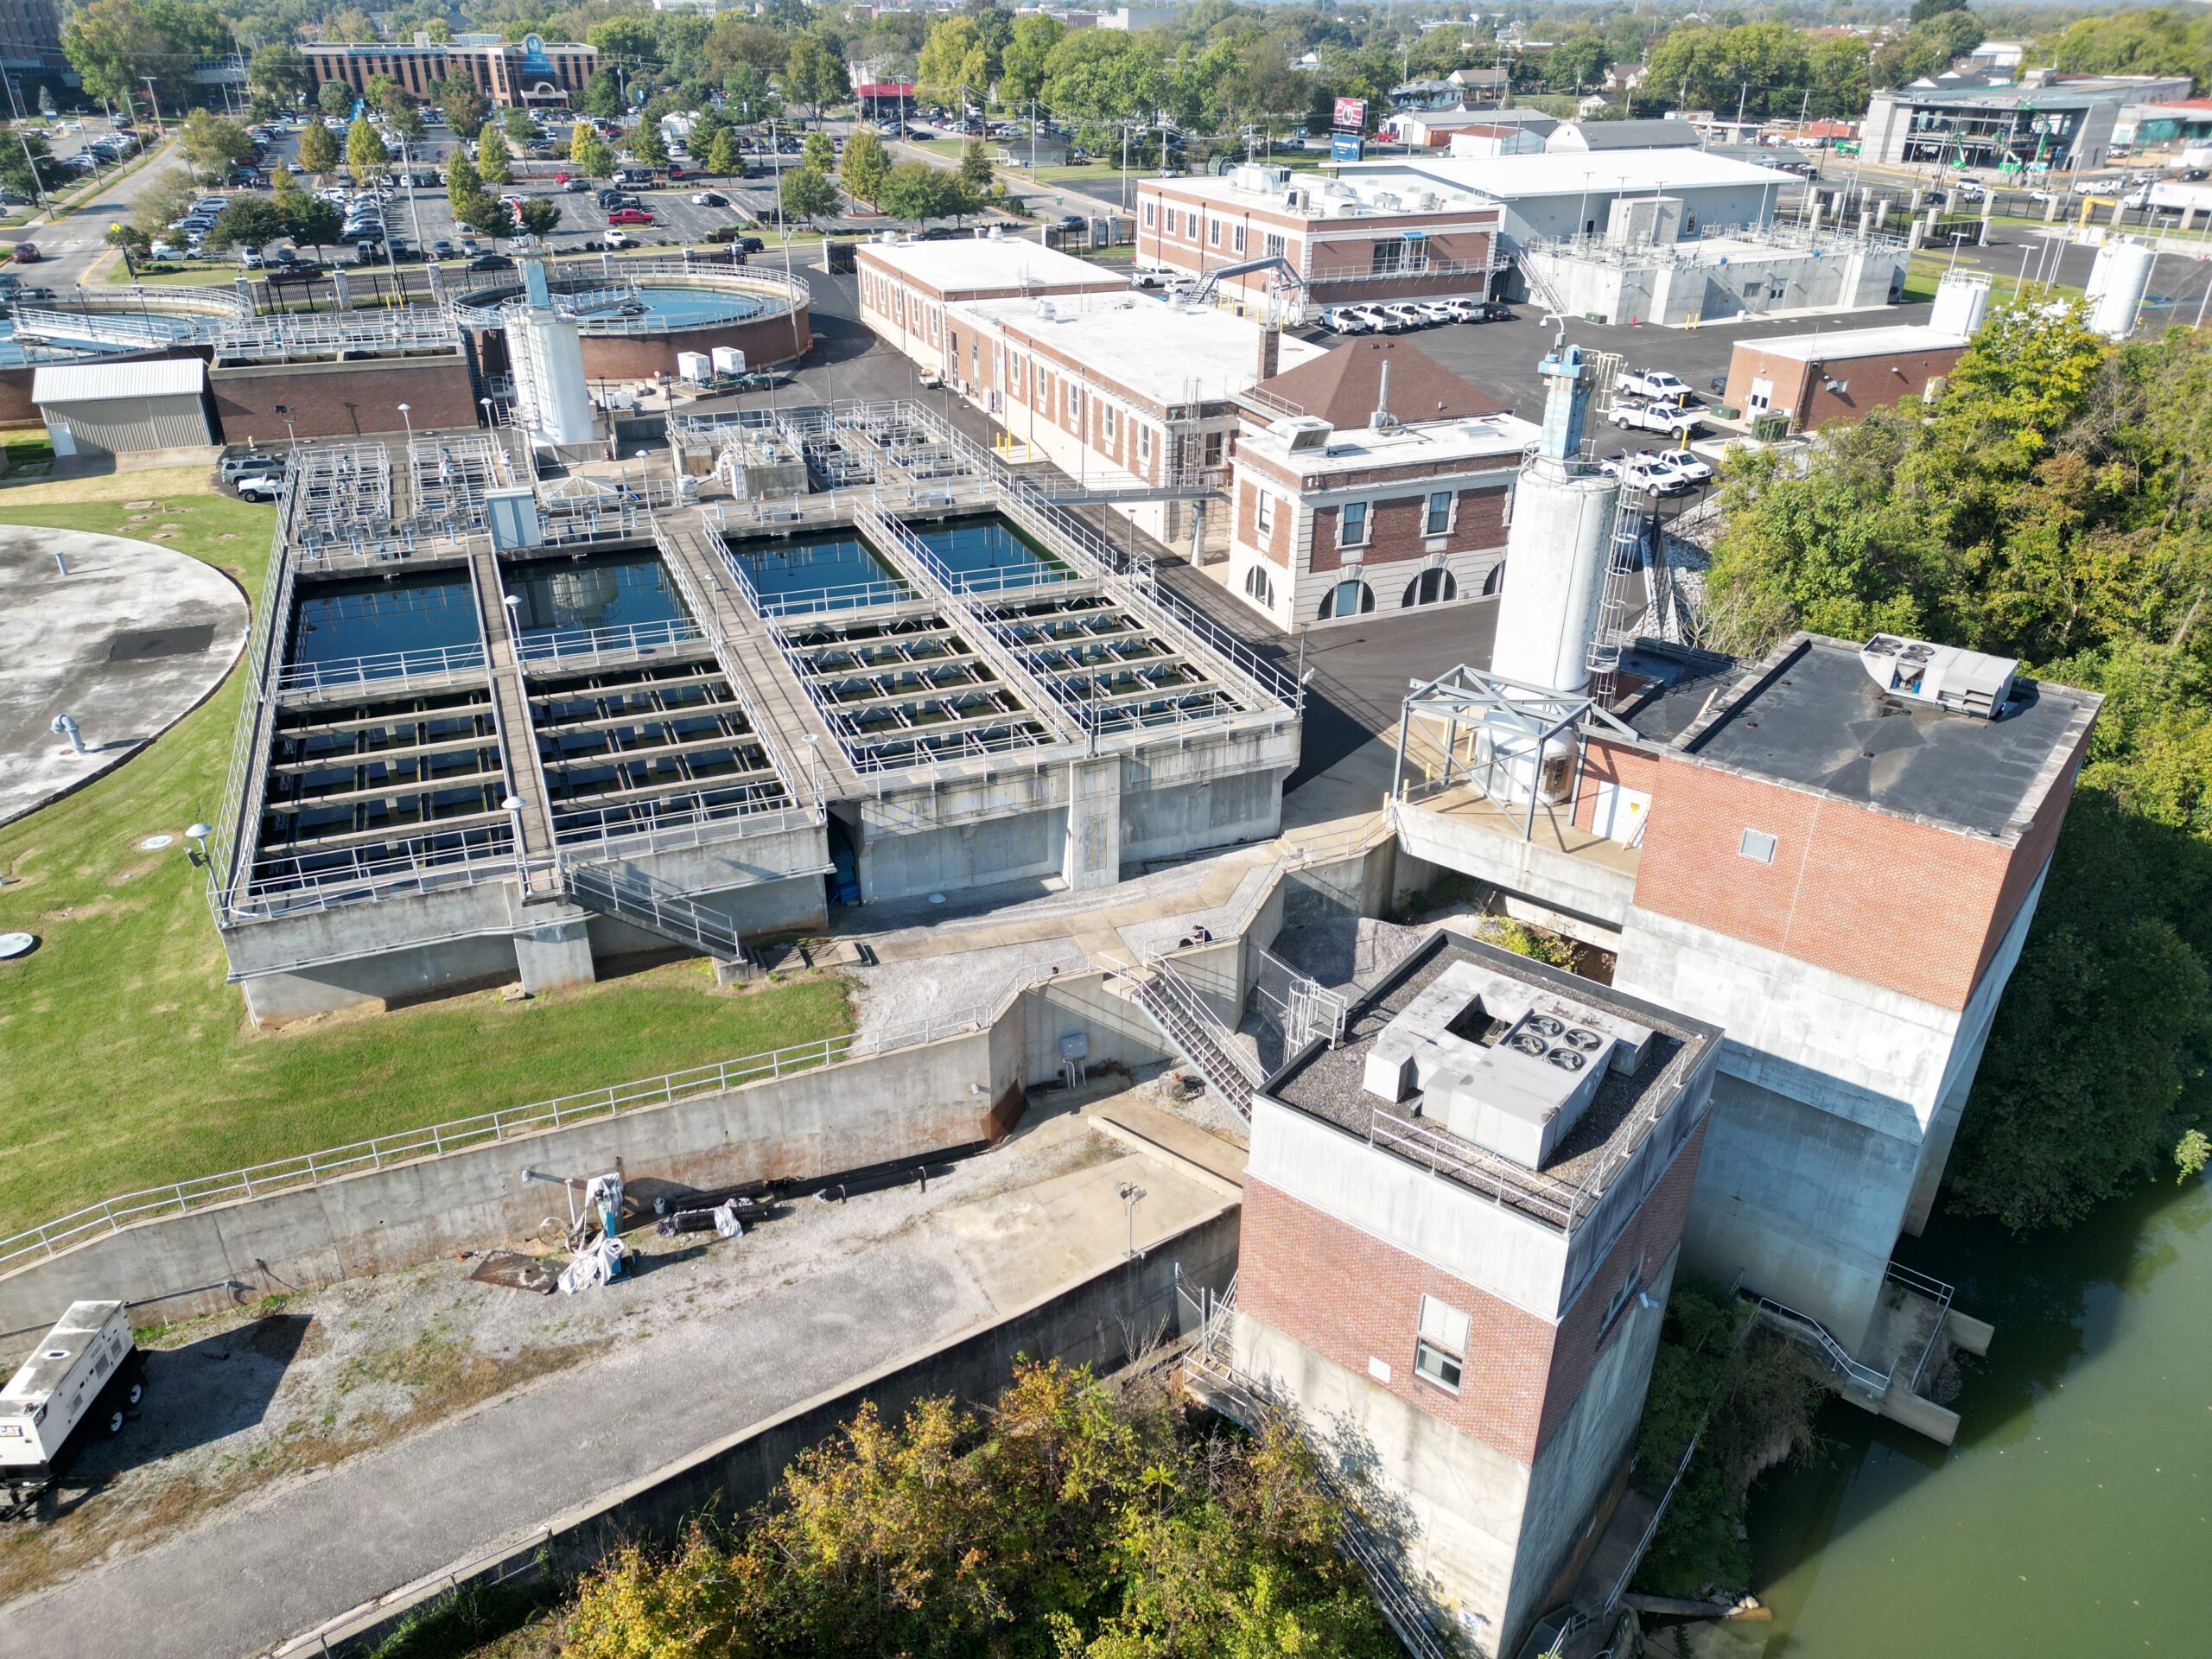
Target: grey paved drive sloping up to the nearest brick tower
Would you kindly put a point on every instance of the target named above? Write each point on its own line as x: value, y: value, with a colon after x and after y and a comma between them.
x: 862, y: 1284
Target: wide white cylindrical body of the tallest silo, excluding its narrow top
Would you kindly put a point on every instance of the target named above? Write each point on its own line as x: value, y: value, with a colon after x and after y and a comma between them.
x: 1556, y: 576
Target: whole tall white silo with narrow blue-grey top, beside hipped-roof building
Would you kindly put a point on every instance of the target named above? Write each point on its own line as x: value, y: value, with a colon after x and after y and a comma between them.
x: 1558, y: 547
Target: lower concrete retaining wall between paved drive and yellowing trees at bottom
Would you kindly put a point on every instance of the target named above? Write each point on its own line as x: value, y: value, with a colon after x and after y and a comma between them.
x: 1085, y: 1324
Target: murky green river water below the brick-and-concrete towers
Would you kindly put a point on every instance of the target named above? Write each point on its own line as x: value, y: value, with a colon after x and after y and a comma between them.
x: 2076, y: 1512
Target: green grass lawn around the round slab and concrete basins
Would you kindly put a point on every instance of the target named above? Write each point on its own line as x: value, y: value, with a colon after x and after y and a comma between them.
x: 129, y: 1063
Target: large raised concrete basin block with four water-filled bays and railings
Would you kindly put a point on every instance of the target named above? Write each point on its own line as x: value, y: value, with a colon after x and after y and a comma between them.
x: 503, y: 729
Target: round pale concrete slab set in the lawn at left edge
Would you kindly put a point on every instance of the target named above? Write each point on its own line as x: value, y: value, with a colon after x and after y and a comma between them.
x: 127, y: 643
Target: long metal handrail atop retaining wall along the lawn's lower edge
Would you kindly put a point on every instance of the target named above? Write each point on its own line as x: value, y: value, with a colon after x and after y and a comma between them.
x: 313, y: 1169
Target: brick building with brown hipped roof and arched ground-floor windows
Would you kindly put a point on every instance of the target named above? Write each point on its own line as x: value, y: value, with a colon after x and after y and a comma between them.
x: 1370, y: 479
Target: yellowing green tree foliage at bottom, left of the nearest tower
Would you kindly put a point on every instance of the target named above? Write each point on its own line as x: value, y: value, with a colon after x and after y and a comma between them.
x: 1063, y: 1521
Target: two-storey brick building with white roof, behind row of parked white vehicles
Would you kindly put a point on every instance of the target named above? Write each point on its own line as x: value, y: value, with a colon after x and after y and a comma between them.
x: 1337, y: 244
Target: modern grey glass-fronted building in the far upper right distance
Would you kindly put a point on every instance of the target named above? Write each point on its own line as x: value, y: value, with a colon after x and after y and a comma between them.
x: 2045, y: 121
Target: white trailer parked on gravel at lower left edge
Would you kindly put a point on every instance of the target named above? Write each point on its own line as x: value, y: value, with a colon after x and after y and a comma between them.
x: 79, y: 1381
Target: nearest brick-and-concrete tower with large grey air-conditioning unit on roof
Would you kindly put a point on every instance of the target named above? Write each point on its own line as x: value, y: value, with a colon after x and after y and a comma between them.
x: 1459, y: 1235
